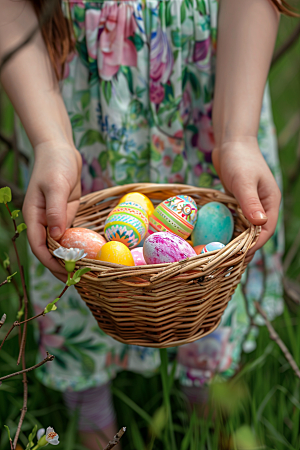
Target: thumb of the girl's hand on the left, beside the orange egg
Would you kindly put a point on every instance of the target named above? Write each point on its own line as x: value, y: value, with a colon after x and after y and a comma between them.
x: 56, y: 211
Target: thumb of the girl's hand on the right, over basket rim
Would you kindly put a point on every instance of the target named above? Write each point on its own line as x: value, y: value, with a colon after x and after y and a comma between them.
x: 249, y: 201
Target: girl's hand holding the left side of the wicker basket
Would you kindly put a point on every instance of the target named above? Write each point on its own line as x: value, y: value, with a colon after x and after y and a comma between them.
x: 52, y: 198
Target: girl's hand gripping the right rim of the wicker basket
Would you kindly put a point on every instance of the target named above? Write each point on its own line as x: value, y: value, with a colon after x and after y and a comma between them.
x: 244, y: 173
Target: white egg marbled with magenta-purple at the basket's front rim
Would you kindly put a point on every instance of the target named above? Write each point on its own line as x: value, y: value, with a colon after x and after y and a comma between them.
x: 165, y: 247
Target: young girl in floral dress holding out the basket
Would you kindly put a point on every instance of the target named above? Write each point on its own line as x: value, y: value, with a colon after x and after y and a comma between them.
x: 144, y: 98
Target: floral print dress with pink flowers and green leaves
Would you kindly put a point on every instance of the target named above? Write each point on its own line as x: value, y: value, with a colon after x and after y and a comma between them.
x: 139, y: 93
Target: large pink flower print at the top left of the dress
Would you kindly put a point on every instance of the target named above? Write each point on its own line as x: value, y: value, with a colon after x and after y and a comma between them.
x: 115, y: 48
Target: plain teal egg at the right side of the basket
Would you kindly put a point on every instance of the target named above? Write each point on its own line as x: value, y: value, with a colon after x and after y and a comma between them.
x: 214, y: 224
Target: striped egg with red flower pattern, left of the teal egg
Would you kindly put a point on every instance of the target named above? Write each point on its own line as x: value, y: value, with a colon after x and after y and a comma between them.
x: 177, y: 215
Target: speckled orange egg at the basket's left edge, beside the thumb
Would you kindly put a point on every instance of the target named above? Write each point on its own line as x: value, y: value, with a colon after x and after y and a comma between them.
x: 88, y: 240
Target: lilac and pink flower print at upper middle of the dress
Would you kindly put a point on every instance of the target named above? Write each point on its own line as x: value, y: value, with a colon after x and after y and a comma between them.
x: 161, y: 64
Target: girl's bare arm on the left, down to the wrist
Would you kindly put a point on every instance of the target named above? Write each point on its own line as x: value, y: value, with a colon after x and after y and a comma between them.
x: 29, y: 80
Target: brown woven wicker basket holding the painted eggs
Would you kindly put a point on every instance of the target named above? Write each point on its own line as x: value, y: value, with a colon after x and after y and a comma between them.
x: 161, y: 305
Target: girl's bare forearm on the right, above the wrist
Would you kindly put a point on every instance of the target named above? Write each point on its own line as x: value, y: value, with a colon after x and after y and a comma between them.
x: 246, y: 37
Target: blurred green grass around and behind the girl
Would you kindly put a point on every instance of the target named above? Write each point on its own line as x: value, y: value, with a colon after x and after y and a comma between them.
x: 260, y: 408
